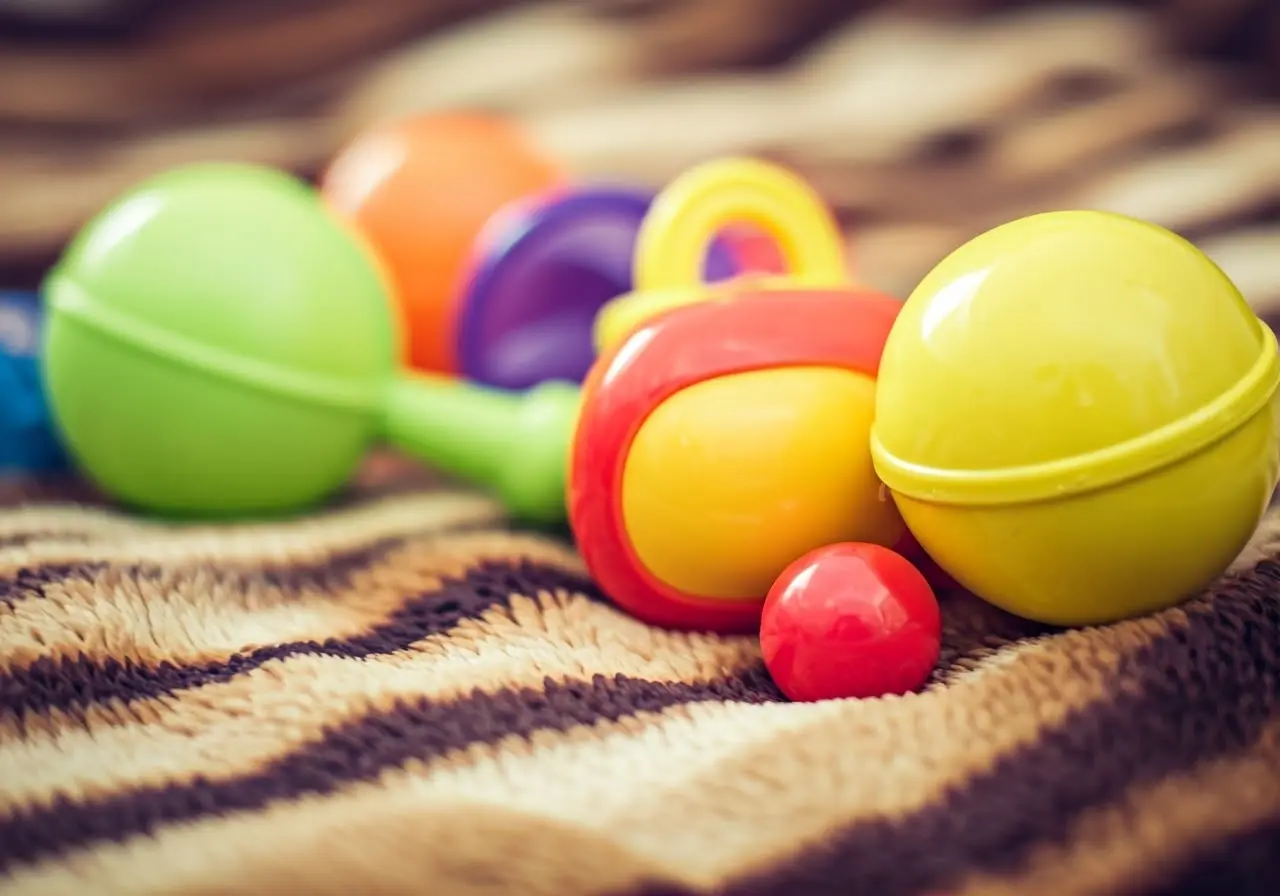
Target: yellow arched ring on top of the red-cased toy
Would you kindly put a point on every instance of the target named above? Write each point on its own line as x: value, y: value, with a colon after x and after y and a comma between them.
x: 705, y: 200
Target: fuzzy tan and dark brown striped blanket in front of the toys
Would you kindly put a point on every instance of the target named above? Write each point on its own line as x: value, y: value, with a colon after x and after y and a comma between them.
x: 400, y: 696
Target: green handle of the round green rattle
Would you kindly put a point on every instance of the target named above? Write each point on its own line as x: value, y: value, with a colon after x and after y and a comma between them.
x: 515, y: 444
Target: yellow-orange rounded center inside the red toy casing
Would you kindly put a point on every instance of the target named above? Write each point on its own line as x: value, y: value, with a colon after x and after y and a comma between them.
x: 732, y: 479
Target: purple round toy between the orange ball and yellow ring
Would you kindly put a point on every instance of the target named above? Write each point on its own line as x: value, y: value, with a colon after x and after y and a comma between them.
x: 543, y: 269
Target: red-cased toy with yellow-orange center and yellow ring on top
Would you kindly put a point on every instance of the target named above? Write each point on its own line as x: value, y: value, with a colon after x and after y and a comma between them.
x: 725, y: 431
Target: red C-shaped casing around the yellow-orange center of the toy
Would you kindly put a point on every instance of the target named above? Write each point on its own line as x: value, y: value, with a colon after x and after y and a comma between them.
x: 751, y: 331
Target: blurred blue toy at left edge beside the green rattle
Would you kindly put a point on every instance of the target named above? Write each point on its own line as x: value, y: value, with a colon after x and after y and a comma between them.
x: 29, y: 444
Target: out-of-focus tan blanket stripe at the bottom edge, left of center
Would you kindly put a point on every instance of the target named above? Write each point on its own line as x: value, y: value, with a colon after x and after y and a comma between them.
x: 452, y: 847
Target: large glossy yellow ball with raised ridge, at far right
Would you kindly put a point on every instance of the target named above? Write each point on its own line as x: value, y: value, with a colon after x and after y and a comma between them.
x: 1077, y: 418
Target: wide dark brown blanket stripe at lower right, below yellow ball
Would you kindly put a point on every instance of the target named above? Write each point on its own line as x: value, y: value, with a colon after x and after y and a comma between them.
x: 1200, y: 692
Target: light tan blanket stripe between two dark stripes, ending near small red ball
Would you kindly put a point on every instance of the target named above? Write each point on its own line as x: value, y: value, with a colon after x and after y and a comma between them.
x: 208, y: 734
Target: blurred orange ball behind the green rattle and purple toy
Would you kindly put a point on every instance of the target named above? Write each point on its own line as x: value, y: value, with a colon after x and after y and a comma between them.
x: 422, y: 190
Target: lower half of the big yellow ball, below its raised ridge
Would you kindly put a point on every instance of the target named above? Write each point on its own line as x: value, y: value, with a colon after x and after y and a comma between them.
x: 1112, y: 554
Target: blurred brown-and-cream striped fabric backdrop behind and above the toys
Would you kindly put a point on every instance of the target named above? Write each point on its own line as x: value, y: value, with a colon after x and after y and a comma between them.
x: 924, y: 122
